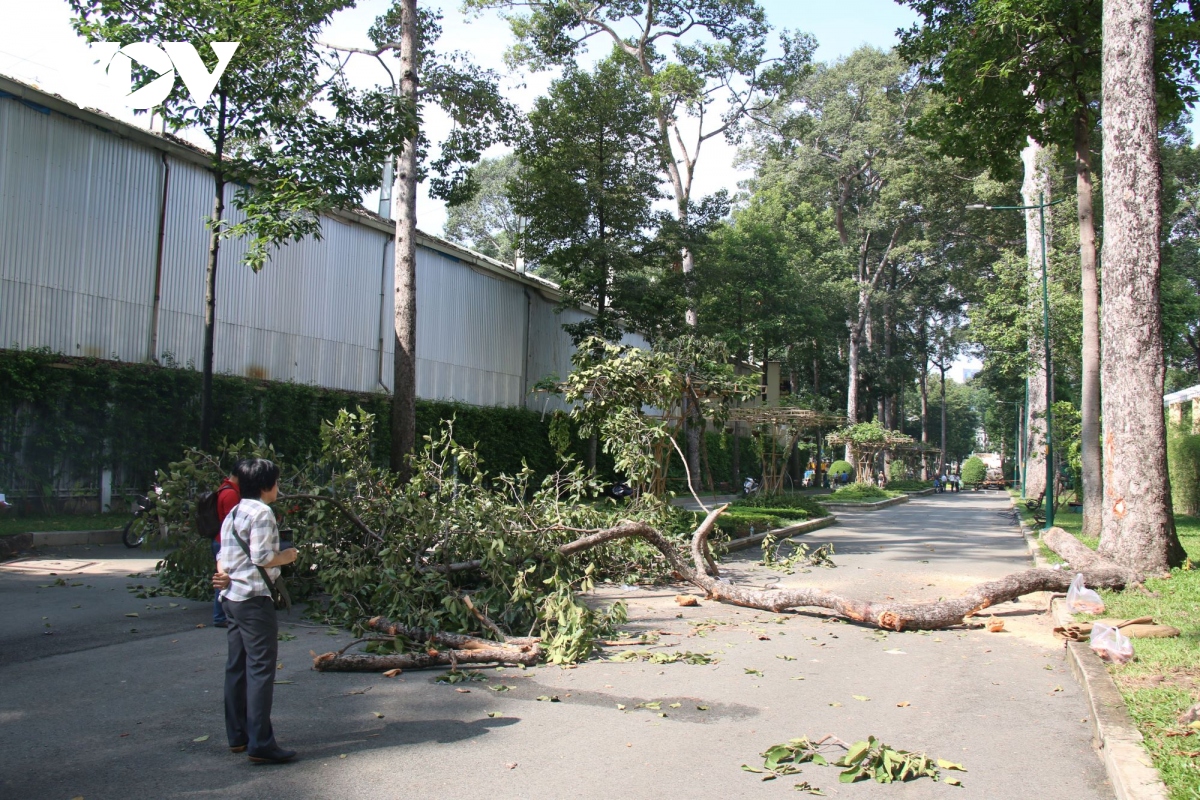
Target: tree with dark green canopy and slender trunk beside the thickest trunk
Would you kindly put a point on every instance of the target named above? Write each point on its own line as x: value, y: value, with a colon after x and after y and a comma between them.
x: 1019, y: 70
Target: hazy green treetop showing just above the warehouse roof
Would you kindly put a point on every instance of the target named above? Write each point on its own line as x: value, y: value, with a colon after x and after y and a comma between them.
x: 488, y: 222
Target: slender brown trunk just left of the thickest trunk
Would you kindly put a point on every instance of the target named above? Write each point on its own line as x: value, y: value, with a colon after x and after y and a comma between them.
x: 1090, y: 407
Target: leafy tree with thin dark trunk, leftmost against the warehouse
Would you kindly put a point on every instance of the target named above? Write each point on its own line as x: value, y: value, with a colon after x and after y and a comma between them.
x: 291, y: 141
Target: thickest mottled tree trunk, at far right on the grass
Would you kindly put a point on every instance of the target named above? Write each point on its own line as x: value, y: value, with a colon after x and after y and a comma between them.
x: 1139, y: 527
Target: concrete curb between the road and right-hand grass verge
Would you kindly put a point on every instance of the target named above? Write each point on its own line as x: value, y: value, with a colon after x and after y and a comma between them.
x: 1118, y: 741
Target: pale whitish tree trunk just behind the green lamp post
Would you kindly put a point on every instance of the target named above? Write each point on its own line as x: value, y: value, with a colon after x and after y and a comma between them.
x: 1037, y: 183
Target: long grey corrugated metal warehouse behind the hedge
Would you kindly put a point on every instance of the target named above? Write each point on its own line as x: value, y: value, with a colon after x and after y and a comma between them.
x: 104, y: 250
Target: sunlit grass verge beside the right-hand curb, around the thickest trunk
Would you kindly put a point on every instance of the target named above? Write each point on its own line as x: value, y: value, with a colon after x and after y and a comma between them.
x: 1165, y: 678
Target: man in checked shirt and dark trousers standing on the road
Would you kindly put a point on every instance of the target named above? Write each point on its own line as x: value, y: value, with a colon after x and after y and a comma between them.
x: 250, y: 548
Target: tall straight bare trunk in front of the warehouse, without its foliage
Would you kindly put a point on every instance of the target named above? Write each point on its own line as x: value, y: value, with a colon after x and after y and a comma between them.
x: 404, y: 400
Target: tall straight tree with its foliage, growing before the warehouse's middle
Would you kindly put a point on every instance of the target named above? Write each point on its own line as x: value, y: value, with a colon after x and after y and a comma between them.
x: 422, y: 76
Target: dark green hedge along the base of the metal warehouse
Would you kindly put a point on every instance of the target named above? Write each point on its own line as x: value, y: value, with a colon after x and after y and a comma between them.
x: 64, y: 417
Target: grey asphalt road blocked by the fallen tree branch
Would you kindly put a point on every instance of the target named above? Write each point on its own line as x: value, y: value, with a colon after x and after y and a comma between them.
x: 100, y: 712
